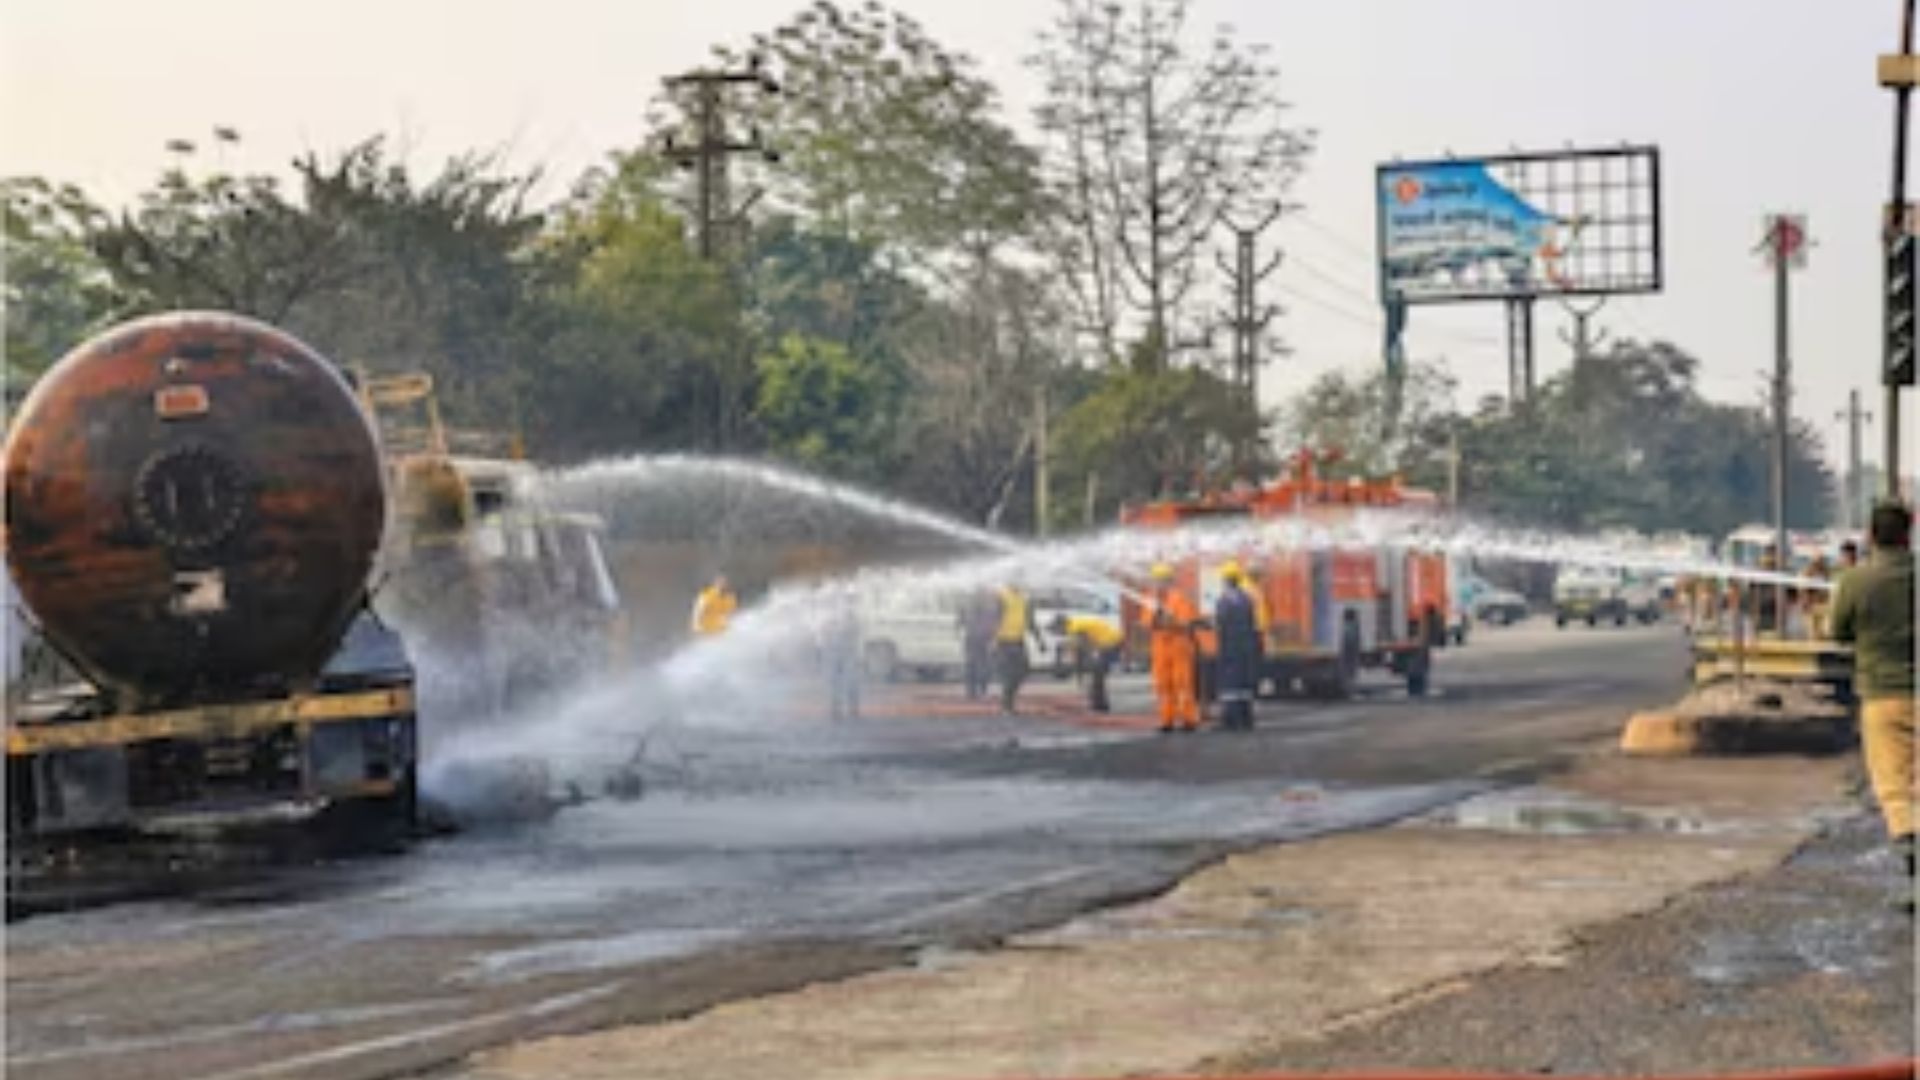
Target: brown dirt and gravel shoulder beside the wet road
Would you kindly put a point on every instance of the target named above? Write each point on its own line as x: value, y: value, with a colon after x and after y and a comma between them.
x: 1404, y: 946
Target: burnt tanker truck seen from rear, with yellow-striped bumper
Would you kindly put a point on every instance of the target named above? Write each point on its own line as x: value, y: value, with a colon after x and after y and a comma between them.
x: 195, y: 504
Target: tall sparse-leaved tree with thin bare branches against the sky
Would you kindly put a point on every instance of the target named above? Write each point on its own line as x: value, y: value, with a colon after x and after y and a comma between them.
x: 1155, y: 141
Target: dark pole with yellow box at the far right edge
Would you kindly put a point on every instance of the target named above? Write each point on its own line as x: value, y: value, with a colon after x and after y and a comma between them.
x: 1900, y: 74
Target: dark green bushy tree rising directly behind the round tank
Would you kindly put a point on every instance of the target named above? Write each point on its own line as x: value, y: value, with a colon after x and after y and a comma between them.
x: 358, y: 257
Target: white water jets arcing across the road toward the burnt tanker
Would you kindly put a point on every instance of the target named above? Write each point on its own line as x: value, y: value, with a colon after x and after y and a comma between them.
x: 750, y: 675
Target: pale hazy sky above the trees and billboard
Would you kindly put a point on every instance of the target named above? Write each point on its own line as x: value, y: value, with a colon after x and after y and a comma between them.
x: 1756, y: 105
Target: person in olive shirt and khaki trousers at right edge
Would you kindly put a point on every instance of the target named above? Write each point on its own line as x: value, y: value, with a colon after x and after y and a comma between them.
x: 1875, y: 612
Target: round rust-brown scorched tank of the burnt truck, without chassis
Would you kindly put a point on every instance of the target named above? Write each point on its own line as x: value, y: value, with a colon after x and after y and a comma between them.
x: 195, y: 504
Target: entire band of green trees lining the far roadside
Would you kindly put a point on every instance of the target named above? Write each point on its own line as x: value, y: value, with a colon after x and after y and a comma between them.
x: 913, y: 305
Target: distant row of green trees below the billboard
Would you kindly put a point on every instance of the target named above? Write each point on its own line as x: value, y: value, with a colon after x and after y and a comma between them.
x: 1620, y: 441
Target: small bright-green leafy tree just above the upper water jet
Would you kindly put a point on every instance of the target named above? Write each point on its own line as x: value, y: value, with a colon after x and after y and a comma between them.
x: 827, y: 408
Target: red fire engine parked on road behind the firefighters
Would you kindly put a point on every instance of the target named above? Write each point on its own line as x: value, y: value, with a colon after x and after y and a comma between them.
x: 1332, y: 612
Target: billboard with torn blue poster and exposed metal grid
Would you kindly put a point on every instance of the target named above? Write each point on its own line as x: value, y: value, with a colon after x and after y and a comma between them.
x: 1566, y: 224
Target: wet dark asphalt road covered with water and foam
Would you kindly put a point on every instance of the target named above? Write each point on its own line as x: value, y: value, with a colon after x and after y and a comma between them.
x: 775, y: 856
